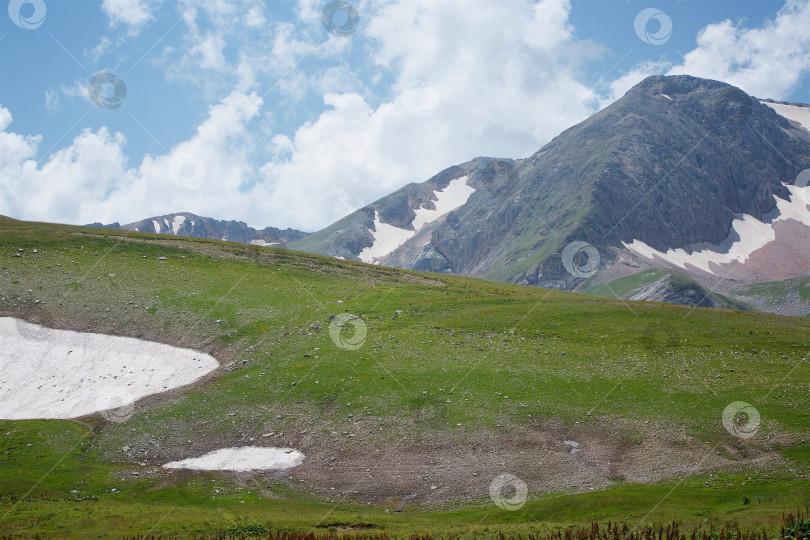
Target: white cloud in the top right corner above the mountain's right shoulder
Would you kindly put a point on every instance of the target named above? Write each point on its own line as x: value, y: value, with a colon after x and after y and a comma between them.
x: 766, y: 62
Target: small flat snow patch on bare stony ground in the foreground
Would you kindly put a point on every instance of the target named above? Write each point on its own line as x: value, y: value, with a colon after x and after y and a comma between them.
x: 245, y: 458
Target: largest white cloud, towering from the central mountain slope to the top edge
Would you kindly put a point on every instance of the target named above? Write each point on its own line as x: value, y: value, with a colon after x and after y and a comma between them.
x: 505, y: 79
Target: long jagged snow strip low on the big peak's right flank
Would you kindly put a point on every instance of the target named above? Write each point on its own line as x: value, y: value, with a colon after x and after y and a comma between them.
x: 753, y: 235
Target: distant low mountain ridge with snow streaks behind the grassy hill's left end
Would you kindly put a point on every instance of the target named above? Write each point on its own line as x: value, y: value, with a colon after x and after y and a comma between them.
x: 188, y: 224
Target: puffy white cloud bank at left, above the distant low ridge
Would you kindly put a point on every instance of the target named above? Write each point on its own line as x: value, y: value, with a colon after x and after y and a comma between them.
x: 90, y: 180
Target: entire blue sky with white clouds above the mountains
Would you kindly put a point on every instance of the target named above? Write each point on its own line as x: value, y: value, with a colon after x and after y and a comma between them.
x: 253, y: 110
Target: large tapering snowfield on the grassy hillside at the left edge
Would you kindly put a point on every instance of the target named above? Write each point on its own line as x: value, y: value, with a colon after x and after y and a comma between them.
x: 47, y: 373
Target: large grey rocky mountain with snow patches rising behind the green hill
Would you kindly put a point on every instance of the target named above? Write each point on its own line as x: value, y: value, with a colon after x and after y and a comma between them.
x: 679, y: 165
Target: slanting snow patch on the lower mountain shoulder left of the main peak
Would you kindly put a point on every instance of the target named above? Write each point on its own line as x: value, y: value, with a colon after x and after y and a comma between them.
x: 387, y: 238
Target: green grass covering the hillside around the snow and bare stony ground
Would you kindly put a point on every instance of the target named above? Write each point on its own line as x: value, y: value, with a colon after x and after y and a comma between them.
x: 459, y: 346
